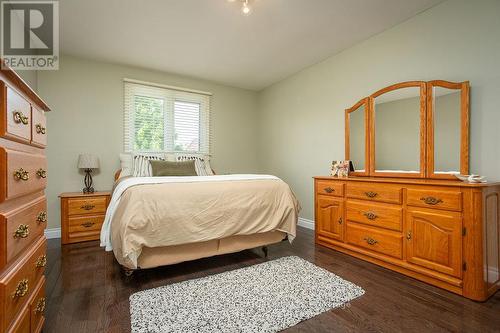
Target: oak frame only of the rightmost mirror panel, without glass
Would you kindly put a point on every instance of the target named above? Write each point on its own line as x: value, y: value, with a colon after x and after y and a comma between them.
x: 464, y: 126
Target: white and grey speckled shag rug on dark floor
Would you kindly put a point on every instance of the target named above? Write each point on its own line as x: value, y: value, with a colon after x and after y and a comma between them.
x: 267, y: 297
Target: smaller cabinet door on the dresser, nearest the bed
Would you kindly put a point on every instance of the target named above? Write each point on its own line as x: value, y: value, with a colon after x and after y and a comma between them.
x: 330, y: 217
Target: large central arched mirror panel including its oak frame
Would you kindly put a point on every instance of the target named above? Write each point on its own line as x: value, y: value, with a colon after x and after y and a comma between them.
x: 397, y: 129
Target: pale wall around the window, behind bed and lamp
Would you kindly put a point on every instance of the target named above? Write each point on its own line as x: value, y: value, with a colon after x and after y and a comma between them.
x: 87, y: 102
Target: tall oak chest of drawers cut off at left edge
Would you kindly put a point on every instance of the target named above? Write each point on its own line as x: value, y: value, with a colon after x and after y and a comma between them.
x: 23, y: 208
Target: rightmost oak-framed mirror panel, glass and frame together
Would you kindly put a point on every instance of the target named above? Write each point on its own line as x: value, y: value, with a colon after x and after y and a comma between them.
x: 448, y: 129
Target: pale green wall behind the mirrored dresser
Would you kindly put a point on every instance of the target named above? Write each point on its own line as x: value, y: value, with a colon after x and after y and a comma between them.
x: 301, y: 119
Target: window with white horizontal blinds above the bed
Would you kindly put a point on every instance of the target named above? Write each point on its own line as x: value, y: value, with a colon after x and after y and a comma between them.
x: 165, y: 119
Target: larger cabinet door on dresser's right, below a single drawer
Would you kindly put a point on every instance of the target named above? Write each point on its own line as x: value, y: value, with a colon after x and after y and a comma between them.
x: 434, y: 240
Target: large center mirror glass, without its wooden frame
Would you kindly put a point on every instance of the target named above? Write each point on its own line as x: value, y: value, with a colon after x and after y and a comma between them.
x: 397, y: 122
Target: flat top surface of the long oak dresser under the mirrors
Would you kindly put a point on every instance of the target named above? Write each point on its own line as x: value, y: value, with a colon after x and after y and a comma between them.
x: 416, y: 181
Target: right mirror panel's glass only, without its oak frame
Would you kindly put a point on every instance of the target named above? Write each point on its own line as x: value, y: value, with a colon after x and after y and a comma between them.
x: 446, y: 106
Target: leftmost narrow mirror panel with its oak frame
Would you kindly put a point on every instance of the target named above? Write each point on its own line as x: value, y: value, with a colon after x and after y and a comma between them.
x: 356, y: 138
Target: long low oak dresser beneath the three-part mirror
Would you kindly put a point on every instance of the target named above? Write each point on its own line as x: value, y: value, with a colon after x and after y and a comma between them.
x: 446, y: 233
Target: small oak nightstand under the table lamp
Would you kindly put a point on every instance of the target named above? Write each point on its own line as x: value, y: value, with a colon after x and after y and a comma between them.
x: 82, y: 215
